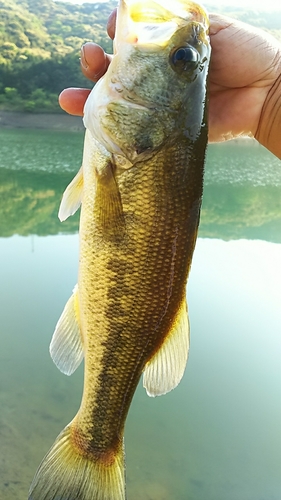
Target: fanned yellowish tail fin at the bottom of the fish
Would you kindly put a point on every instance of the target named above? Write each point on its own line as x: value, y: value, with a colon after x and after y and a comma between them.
x: 64, y: 474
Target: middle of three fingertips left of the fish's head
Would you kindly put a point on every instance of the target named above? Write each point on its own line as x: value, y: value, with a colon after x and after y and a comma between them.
x: 94, y: 61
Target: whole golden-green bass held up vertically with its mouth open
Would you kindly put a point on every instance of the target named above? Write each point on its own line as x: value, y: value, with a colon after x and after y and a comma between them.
x: 140, y: 189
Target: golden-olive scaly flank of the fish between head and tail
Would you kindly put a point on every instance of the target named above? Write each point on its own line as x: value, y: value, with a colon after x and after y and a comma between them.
x: 142, y: 324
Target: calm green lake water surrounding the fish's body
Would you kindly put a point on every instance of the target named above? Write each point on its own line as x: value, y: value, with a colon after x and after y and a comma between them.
x: 218, y: 435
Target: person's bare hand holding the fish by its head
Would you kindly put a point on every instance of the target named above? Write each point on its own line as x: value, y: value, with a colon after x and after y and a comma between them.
x: 244, y: 82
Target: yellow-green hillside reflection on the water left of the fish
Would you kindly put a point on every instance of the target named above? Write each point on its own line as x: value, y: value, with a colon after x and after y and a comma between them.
x: 29, y: 202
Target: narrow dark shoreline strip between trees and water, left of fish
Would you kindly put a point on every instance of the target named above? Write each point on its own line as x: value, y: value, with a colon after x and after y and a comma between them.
x: 11, y: 119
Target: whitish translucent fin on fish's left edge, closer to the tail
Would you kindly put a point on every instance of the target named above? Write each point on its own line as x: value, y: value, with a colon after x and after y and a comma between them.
x: 66, y: 346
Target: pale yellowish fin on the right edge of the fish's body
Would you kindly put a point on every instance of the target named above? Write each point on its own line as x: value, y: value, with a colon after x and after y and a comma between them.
x: 165, y: 370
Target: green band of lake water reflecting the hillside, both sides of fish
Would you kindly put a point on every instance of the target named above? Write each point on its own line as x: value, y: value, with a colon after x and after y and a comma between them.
x: 232, y: 208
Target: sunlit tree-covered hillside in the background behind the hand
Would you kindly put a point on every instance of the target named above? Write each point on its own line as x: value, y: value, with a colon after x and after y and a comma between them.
x: 40, y: 42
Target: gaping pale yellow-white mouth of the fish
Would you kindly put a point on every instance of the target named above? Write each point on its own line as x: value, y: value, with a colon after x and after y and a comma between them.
x: 153, y: 22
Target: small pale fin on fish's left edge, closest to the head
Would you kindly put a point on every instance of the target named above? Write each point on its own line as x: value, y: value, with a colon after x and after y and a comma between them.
x: 72, y: 196
